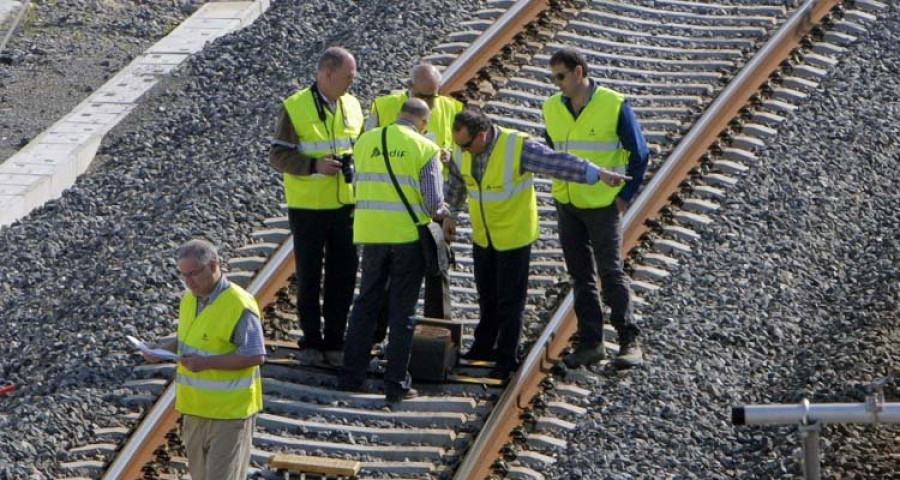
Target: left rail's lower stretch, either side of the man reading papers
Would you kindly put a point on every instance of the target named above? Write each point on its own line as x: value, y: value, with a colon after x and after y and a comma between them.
x: 151, y: 432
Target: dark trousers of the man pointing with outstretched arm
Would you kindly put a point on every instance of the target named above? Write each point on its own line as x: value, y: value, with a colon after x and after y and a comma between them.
x: 501, y: 278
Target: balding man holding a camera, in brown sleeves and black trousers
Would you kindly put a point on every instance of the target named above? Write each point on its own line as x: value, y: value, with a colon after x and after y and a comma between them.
x: 314, y: 137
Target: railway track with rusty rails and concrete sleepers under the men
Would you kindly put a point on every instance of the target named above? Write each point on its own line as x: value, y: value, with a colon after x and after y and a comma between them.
x: 709, y: 83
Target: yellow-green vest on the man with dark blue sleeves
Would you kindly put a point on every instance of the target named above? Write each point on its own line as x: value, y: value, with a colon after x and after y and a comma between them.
x: 592, y: 136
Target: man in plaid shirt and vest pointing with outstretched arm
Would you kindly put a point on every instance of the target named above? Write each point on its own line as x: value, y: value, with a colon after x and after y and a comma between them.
x: 493, y: 169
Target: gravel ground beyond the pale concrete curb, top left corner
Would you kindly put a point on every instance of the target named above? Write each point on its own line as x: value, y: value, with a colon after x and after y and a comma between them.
x: 64, y: 50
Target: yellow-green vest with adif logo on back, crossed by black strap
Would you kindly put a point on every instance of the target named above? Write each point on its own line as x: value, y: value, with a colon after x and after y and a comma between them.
x: 380, y: 215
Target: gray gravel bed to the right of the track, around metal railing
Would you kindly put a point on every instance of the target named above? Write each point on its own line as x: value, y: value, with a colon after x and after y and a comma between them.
x: 794, y: 293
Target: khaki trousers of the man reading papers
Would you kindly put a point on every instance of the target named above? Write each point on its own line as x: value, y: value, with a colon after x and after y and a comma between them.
x: 218, y: 449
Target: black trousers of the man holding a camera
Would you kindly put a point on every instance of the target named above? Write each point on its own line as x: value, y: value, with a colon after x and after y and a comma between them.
x: 324, y: 237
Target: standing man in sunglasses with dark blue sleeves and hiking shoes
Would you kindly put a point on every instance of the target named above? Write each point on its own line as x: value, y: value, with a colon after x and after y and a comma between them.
x: 596, y: 124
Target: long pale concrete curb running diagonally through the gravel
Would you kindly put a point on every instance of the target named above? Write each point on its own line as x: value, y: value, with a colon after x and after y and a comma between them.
x: 50, y: 163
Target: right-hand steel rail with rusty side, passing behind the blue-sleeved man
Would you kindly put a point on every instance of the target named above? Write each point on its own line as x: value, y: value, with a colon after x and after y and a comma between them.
x: 548, y: 348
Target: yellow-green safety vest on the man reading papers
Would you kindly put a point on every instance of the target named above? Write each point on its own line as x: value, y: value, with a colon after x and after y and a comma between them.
x: 216, y: 394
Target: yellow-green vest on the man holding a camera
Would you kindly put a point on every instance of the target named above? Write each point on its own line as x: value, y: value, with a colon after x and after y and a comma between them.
x: 317, y: 138
